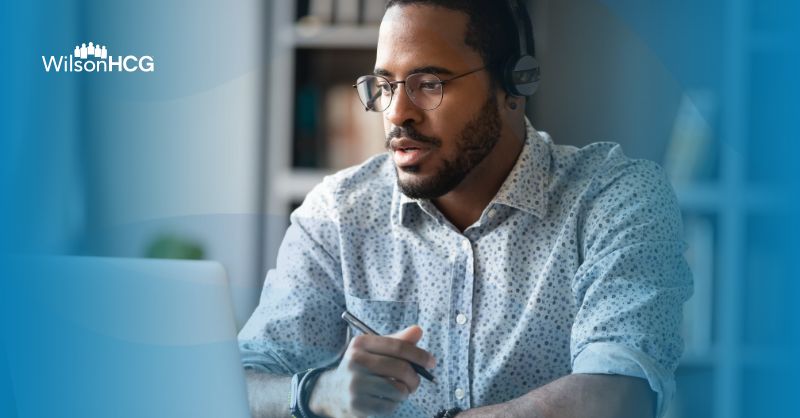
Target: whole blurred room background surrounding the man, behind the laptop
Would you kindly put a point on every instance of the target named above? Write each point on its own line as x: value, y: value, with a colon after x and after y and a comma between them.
x: 250, y: 106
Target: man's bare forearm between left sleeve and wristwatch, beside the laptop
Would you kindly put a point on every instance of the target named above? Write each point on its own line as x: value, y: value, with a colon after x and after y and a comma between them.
x: 268, y: 394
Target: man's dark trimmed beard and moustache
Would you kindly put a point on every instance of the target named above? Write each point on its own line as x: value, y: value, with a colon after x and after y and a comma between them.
x: 476, y: 140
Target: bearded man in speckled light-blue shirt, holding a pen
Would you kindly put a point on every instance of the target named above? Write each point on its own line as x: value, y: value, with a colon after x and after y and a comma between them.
x: 535, y: 280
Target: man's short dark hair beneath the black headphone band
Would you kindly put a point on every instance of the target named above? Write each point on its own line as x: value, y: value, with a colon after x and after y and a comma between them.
x: 491, y: 30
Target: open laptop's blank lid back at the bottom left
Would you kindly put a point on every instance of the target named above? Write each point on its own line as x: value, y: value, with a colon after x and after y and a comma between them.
x: 103, y: 337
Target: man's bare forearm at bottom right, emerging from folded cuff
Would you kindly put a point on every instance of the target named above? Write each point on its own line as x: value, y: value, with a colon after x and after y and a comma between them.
x: 578, y: 395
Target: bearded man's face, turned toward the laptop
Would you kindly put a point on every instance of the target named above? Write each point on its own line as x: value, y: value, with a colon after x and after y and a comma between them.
x: 434, y: 150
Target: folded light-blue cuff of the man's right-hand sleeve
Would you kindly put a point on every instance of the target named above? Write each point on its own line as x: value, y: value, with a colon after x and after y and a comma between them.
x: 608, y: 358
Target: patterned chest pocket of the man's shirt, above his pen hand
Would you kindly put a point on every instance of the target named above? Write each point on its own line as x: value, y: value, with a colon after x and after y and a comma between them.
x: 383, y: 316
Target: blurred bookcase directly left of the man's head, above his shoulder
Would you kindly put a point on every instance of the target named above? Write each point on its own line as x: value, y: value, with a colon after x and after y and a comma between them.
x: 319, y: 53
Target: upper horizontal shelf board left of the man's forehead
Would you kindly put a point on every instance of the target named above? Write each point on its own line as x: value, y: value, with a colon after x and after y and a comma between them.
x: 336, y: 36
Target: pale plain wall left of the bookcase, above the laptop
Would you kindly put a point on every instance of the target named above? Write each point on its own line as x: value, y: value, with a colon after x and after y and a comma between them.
x: 178, y: 152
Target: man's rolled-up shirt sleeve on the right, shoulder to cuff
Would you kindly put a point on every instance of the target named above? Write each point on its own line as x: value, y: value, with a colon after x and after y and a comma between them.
x: 631, y: 288
